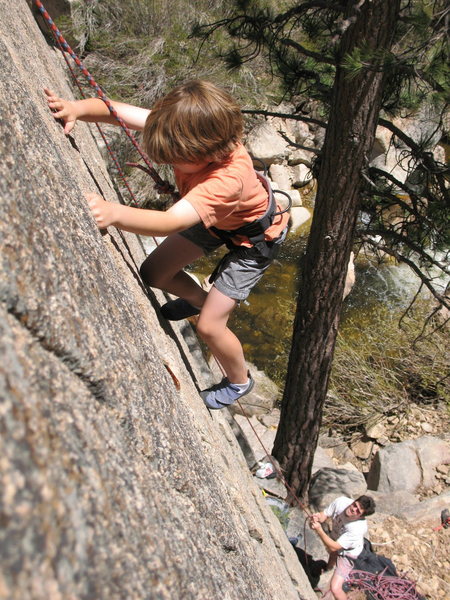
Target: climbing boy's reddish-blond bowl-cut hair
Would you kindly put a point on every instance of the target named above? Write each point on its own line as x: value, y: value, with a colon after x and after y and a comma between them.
x: 196, y: 121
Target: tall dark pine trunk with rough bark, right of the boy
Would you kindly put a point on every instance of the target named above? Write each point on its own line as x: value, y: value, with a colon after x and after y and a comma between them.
x: 350, y: 134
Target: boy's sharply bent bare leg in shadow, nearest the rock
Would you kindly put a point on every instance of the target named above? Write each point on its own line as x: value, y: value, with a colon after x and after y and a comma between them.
x: 163, y: 269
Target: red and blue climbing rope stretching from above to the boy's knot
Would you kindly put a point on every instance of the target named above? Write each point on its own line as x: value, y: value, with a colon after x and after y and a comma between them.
x: 162, y: 185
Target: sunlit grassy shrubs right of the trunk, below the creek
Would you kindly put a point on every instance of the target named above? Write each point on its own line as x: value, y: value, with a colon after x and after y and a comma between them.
x: 382, y: 369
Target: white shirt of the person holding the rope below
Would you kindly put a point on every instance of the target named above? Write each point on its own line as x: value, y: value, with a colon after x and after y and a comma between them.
x: 349, y: 534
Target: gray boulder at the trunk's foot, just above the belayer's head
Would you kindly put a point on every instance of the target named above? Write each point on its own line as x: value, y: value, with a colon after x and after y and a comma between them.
x: 329, y: 483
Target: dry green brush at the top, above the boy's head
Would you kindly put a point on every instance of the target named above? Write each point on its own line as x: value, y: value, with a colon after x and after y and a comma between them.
x: 142, y: 48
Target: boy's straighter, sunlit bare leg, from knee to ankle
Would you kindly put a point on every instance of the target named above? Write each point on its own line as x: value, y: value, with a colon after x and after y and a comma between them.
x: 212, y: 328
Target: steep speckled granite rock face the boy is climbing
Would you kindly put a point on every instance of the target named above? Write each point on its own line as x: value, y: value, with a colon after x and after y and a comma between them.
x: 115, y: 481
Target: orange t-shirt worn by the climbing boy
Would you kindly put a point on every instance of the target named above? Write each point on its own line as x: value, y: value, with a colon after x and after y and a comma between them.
x: 228, y: 194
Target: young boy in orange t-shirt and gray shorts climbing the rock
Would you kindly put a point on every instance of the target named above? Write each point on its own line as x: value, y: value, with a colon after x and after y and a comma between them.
x: 197, y: 129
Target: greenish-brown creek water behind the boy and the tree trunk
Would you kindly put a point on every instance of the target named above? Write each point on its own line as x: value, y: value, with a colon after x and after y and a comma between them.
x: 264, y: 323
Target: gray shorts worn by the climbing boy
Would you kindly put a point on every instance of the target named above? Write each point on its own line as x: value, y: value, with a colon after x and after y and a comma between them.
x: 240, y: 270
